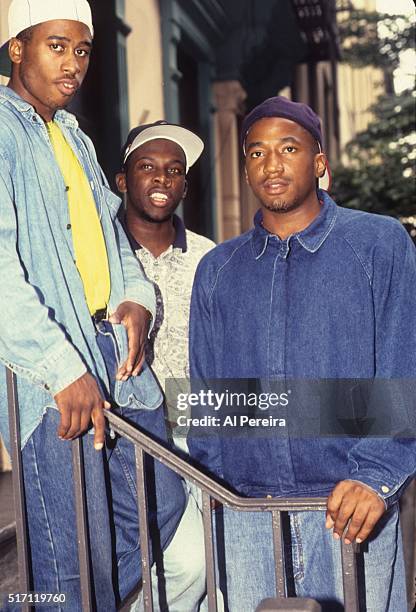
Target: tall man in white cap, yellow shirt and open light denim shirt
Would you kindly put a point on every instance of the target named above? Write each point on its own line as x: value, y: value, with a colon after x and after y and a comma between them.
x: 65, y: 263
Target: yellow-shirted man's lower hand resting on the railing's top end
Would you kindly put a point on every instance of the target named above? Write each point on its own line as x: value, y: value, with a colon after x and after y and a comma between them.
x: 80, y: 403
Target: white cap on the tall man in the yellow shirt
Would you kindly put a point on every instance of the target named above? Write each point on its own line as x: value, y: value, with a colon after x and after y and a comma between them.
x: 26, y: 13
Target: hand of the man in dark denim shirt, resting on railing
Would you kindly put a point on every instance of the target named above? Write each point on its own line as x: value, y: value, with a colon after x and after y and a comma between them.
x: 354, y: 502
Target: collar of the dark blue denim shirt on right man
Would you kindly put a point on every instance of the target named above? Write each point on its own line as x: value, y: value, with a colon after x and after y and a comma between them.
x: 311, y: 238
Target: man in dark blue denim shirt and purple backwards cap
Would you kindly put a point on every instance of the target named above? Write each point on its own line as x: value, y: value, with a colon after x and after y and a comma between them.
x: 322, y: 292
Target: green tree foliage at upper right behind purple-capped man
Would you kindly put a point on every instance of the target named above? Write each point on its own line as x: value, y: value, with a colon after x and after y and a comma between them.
x: 380, y: 175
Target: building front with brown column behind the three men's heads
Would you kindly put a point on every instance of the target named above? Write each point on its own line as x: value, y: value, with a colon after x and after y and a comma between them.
x: 204, y: 63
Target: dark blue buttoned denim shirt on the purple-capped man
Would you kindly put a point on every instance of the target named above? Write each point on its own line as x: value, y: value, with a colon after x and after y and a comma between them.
x: 334, y: 301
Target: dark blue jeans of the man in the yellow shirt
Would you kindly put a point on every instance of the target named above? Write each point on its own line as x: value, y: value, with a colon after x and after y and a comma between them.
x: 113, y: 526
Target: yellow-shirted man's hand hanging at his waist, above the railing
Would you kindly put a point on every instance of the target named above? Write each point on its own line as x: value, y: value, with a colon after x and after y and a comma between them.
x: 136, y: 320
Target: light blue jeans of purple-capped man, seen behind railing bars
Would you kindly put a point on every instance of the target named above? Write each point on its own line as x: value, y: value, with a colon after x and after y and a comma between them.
x: 246, y: 563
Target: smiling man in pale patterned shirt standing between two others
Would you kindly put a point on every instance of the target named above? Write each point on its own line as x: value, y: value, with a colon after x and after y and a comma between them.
x: 154, y: 163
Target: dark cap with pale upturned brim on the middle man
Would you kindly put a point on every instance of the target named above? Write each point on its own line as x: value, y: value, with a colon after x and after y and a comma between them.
x: 189, y: 142
